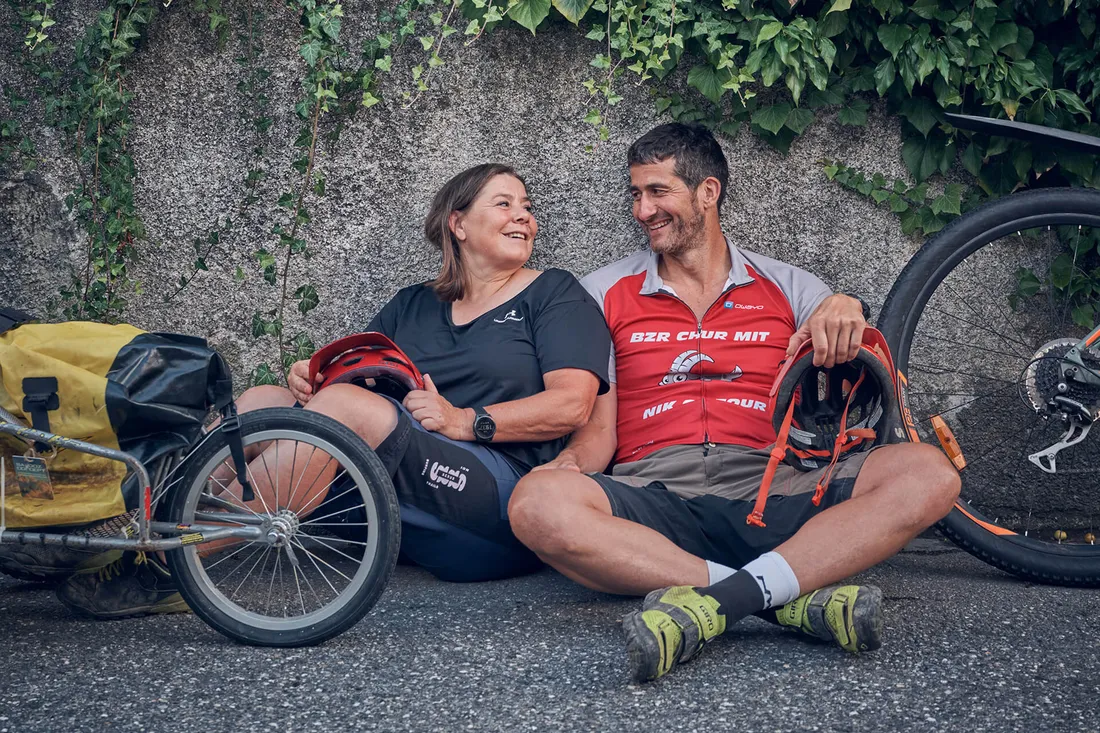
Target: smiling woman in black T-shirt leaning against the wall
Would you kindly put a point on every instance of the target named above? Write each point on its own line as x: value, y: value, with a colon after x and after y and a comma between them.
x: 493, y: 338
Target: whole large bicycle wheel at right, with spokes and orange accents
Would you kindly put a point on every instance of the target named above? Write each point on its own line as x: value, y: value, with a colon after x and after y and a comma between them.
x: 977, y: 333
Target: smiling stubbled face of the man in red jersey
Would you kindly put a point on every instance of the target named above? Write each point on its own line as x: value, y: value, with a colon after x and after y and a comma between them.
x: 667, y: 209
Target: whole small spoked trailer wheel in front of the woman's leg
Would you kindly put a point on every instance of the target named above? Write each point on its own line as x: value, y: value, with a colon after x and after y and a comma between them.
x: 333, y: 557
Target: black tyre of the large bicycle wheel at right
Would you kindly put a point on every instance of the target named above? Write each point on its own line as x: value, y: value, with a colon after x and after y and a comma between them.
x: 1028, y: 557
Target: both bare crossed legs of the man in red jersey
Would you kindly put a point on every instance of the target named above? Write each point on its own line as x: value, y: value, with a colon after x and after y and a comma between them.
x: 566, y: 519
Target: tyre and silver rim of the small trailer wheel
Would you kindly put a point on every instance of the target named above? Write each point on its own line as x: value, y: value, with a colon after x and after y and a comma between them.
x: 380, y: 500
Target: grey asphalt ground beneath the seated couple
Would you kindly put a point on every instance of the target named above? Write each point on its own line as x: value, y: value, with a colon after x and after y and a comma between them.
x: 966, y: 648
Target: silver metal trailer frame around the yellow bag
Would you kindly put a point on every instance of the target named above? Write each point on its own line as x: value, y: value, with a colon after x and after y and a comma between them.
x: 177, y: 535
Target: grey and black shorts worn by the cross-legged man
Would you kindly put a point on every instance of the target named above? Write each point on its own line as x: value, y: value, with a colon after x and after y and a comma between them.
x: 701, y: 497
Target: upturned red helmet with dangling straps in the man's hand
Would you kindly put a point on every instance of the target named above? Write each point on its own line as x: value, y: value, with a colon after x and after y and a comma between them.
x: 822, y: 414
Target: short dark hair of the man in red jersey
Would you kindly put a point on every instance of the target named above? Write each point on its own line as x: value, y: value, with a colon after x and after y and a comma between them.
x: 697, y: 154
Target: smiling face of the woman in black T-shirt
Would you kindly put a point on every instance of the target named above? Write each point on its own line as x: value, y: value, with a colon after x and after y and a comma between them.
x: 498, y: 228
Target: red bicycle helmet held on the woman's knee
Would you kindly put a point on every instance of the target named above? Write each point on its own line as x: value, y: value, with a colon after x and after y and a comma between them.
x: 361, y: 357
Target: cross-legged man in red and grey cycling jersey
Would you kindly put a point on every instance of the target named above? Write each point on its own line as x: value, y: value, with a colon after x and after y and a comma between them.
x: 699, y: 331
